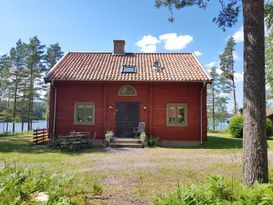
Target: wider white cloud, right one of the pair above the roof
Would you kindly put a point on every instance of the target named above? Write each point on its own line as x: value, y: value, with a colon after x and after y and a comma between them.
x: 174, y: 42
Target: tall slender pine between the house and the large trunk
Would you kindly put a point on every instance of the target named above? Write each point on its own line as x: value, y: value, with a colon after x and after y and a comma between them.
x: 227, y: 67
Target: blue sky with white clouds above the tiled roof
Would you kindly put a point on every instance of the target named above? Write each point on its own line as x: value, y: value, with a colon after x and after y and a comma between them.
x: 91, y: 25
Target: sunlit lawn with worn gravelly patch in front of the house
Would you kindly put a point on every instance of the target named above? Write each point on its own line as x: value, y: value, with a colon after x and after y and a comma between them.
x: 130, y: 176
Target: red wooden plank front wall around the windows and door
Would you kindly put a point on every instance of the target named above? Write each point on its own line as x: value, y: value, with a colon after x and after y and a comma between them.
x: 154, y: 96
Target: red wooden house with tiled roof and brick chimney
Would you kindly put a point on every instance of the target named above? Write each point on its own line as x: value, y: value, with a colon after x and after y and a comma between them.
x: 99, y: 91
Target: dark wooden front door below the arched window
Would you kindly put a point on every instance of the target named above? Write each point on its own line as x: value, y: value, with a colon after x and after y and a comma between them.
x: 127, y: 118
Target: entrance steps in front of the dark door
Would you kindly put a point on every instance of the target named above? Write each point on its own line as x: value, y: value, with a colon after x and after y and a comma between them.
x: 126, y: 142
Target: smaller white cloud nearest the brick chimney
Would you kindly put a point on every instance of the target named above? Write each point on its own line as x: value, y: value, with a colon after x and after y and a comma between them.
x: 148, y: 44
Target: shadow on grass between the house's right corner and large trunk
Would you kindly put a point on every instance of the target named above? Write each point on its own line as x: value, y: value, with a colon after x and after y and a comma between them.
x: 215, y: 142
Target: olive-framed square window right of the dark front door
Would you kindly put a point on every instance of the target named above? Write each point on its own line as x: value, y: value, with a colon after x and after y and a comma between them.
x: 176, y: 114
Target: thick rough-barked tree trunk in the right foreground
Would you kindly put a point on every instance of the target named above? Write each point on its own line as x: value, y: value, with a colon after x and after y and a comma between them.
x: 255, y: 162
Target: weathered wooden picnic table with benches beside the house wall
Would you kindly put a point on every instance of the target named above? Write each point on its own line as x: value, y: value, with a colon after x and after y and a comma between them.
x: 76, y: 140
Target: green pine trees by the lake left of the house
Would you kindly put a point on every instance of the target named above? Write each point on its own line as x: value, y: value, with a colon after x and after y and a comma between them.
x: 21, y: 81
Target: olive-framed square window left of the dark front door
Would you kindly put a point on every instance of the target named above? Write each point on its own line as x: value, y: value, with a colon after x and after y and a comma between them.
x: 84, y: 113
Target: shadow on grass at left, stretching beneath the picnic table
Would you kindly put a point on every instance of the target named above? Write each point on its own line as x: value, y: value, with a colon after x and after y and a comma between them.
x: 25, y: 145
